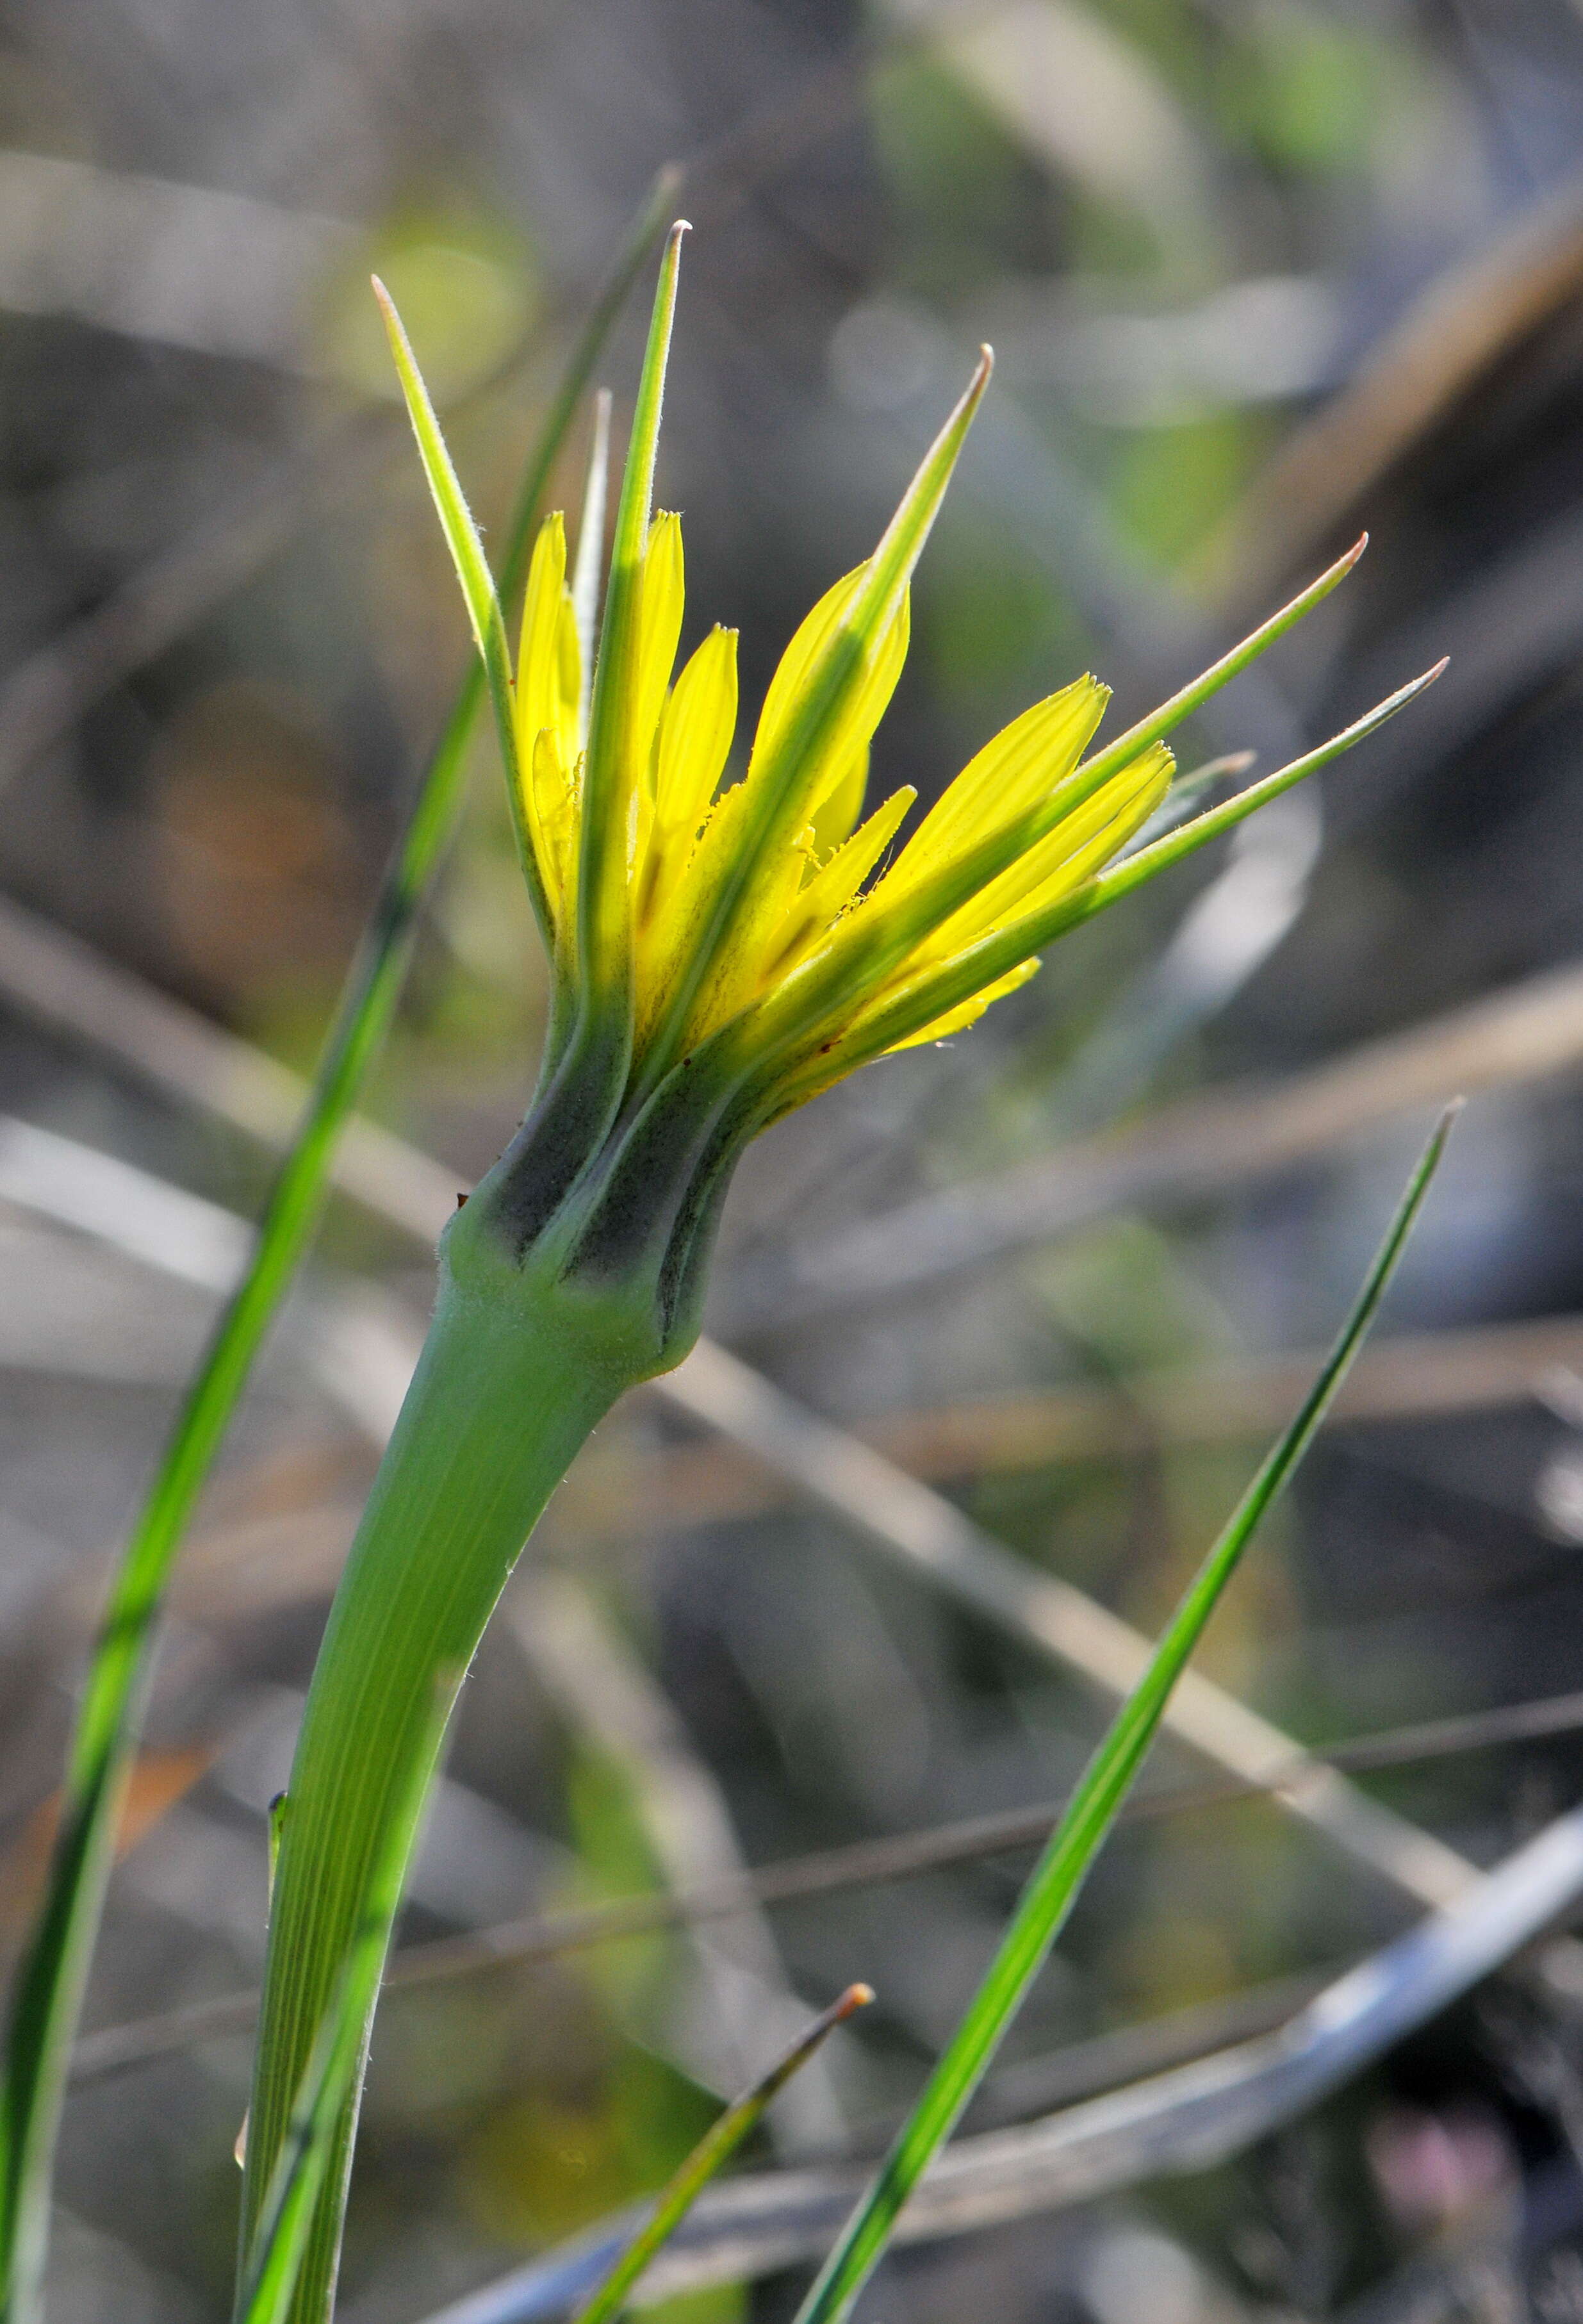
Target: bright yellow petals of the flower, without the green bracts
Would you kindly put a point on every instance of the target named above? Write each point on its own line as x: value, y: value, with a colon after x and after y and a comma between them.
x: 1017, y: 829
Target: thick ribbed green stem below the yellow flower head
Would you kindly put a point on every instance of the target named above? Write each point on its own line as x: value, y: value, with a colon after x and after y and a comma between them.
x: 503, y: 1398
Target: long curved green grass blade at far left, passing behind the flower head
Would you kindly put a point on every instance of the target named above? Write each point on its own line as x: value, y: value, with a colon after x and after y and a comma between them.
x: 55, y: 1967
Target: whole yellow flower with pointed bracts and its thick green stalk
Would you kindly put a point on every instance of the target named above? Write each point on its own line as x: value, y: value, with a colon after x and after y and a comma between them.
x: 724, y: 949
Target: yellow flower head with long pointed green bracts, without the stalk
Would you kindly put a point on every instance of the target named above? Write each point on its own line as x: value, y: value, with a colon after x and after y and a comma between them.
x: 724, y: 942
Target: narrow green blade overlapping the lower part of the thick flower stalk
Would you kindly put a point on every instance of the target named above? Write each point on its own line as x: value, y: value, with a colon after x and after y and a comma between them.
x: 275, y: 2260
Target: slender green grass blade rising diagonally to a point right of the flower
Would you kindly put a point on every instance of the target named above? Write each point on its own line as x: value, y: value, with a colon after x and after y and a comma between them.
x: 1091, y: 1812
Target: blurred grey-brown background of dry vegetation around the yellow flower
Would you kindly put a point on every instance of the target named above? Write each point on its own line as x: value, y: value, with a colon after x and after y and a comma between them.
x: 1259, y: 273
